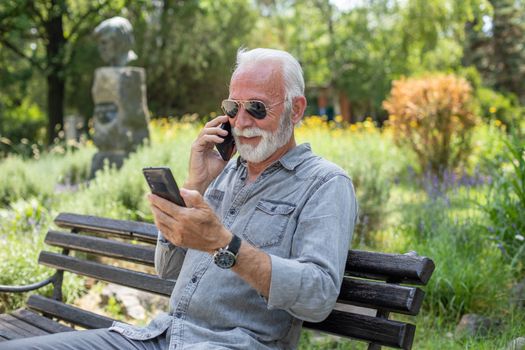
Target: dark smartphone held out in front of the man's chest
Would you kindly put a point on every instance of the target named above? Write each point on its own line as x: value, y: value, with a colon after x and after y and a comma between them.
x: 162, y: 183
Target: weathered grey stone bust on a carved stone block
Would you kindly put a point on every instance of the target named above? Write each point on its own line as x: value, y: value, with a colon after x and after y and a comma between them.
x: 119, y: 94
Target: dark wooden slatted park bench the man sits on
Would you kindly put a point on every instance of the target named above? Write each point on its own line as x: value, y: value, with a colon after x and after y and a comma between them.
x: 364, y: 284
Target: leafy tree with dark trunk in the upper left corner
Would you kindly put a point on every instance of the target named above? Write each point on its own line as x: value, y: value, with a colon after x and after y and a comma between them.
x: 44, y: 34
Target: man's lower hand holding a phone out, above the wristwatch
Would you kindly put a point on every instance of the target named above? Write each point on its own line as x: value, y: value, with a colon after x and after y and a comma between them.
x: 195, y: 226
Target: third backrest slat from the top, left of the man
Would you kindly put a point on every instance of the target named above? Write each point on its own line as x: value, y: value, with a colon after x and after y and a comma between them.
x: 124, y: 277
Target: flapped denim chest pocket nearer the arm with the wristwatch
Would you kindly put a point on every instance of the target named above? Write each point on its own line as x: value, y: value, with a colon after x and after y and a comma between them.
x: 267, y: 225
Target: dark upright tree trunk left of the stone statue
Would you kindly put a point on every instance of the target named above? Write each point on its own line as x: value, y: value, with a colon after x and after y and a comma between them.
x: 55, y: 72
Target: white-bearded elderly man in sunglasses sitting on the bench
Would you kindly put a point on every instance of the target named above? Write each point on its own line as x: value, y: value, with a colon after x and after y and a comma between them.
x: 262, y: 243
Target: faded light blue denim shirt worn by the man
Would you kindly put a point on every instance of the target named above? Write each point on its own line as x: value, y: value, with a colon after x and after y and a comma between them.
x: 301, y: 211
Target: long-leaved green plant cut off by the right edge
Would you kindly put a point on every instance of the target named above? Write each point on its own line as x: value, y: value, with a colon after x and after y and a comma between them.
x: 506, y: 205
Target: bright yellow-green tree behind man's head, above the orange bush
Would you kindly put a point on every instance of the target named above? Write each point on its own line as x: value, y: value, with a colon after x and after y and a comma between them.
x: 358, y: 51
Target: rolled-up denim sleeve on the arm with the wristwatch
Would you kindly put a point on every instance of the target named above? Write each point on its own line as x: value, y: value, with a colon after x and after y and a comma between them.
x: 307, y: 284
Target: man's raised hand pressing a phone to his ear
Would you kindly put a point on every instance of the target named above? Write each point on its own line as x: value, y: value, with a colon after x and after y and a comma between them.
x: 205, y: 162
